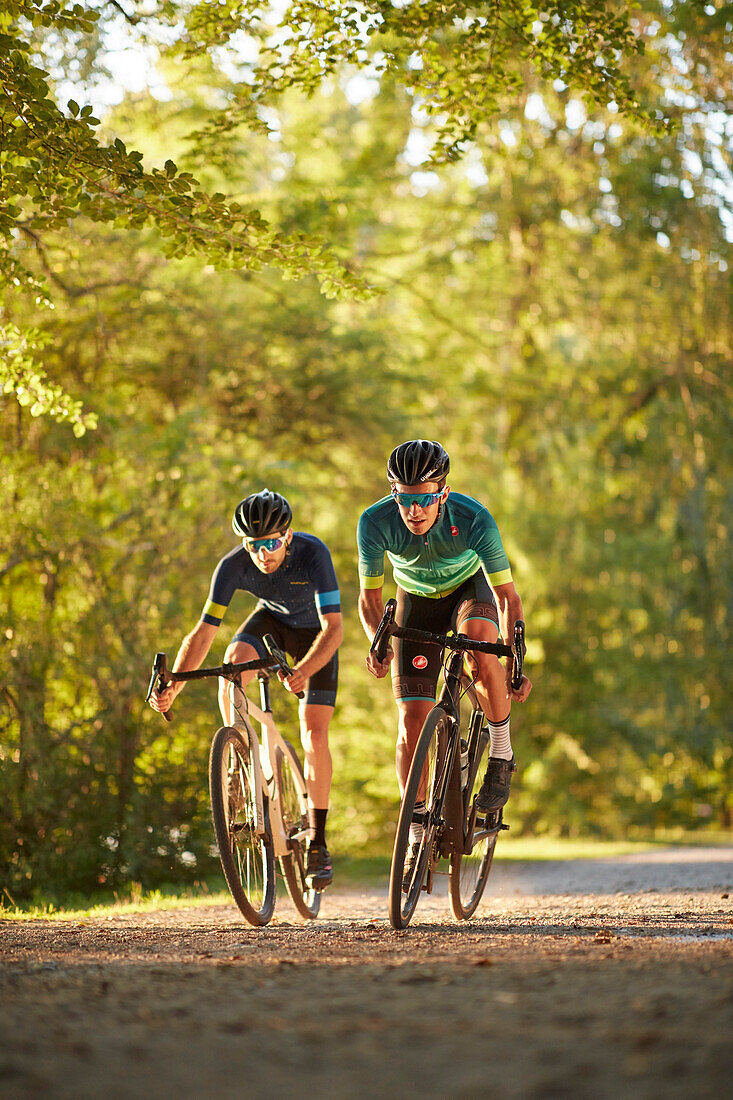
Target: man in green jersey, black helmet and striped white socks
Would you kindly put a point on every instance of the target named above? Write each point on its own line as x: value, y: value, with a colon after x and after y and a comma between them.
x: 452, y: 573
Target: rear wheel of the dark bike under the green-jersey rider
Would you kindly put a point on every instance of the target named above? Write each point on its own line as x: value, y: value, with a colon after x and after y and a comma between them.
x: 469, y: 872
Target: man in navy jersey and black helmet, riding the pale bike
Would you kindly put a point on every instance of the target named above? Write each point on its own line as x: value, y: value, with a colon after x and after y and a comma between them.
x: 292, y: 576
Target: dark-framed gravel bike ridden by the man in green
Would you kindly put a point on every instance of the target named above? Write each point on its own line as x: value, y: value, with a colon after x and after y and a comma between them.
x: 444, y: 779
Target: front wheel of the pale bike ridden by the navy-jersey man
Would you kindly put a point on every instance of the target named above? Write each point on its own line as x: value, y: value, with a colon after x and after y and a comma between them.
x: 248, y: 859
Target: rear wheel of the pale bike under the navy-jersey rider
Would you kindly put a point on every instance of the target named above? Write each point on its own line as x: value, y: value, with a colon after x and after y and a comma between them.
x: 292, y: 795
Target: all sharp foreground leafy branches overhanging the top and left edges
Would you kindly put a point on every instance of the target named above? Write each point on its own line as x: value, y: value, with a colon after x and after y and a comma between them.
x: 458, y: 61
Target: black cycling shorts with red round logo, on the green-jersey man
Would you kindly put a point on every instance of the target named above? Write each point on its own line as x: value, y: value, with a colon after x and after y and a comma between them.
x: 418, y: 666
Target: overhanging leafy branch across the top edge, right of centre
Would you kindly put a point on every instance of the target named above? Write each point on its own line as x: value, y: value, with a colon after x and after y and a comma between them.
x: 462, y: 62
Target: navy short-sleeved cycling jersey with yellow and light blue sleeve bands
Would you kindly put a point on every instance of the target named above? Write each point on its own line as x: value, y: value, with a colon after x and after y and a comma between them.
x: 304, y: 586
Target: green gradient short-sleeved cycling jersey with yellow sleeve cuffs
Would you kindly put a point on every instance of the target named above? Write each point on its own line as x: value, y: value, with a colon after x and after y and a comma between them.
x: 464, y: 538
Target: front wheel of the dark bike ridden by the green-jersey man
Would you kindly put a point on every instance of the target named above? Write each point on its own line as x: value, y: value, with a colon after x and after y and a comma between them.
x: 431, y: 752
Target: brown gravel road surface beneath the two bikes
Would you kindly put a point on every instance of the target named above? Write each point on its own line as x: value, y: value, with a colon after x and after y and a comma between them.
x: 592, y: 978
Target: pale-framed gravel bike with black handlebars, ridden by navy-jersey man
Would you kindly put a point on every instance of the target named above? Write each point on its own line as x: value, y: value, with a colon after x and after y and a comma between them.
x: 258, y: 790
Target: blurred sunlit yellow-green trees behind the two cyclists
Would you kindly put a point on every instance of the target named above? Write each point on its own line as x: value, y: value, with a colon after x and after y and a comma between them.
x: 553, y: 303
